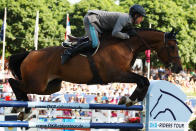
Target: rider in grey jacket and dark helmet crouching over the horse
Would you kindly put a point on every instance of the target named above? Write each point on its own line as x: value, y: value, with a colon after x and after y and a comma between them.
x: 97, y: 21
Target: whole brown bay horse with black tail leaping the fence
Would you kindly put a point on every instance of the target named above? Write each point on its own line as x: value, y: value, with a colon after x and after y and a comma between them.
x: 40, y: 72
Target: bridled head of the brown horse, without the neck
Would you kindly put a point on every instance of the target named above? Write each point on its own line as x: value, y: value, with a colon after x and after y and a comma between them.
x: 168, y: 52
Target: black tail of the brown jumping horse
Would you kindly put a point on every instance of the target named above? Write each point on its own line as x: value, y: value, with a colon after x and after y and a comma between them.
x: 14, y: 64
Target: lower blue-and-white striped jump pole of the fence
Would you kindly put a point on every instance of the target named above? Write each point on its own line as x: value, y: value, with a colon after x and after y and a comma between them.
x: 70, y: 125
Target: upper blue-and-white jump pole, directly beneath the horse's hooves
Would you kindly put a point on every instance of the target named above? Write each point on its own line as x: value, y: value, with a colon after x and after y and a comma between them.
x: 68, y: 105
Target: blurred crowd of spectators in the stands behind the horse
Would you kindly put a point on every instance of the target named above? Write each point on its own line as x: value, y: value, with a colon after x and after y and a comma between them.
x: 111, y: 93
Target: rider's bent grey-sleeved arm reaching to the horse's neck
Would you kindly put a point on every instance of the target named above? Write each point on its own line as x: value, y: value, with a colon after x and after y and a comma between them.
x: 121, y: 22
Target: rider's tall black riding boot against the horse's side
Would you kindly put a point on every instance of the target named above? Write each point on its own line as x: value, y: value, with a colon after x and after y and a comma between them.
x: 72, y: 51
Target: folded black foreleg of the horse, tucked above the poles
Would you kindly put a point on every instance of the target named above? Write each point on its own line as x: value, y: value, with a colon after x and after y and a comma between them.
x: 140, y: 91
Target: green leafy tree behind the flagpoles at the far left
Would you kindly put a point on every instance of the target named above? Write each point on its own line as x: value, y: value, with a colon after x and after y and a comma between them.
x: 21, y: 23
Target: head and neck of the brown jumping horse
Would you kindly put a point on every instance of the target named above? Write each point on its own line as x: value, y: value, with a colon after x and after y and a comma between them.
x: 164, y: 43
